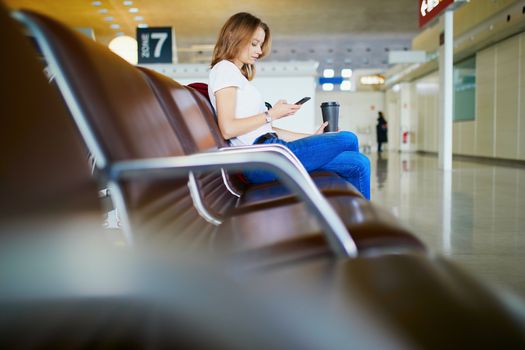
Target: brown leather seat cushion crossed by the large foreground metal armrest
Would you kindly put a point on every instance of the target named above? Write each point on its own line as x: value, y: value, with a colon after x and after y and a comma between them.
x: 374, y: 230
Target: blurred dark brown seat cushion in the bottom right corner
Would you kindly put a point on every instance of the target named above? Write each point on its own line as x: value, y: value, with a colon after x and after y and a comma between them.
x: 424, y: 302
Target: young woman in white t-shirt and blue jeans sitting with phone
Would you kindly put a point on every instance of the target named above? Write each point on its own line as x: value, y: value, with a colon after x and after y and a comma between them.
x: 244, y: 120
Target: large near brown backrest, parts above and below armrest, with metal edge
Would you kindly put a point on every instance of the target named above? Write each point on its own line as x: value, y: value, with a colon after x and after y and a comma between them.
x: 127, y: 121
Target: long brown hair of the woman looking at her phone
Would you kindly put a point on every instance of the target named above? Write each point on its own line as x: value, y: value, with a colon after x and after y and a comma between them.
x: 236, y: 33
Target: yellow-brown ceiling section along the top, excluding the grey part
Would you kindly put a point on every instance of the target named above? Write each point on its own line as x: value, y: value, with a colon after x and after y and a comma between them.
x: 203, y: 18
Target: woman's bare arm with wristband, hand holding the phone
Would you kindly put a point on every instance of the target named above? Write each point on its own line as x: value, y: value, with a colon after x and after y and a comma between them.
x: 230, y: 126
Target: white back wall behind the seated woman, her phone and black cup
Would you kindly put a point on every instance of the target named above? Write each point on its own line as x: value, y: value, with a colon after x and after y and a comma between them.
x: 292, y: 81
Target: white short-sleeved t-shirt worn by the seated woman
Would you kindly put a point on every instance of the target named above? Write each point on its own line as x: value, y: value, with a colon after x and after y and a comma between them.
x: 249, y: 100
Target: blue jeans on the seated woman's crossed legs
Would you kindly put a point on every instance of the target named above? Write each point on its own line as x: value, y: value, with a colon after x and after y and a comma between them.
x: 337, y: 152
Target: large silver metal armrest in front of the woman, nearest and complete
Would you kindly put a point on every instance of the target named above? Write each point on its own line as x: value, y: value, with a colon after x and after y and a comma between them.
x: 337, y: 234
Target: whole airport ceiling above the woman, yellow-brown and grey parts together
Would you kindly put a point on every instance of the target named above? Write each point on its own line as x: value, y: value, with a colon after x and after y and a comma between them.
x: 337, y: 33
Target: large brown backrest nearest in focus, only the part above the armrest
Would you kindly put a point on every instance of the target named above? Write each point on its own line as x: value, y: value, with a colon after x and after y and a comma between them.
x: 121, y: 109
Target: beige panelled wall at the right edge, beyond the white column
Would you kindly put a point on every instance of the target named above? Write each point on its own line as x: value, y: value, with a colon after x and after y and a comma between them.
x: 500, y: 106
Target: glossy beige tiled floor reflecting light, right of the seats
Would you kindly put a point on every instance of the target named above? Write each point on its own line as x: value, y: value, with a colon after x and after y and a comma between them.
x: 474, y: 214
